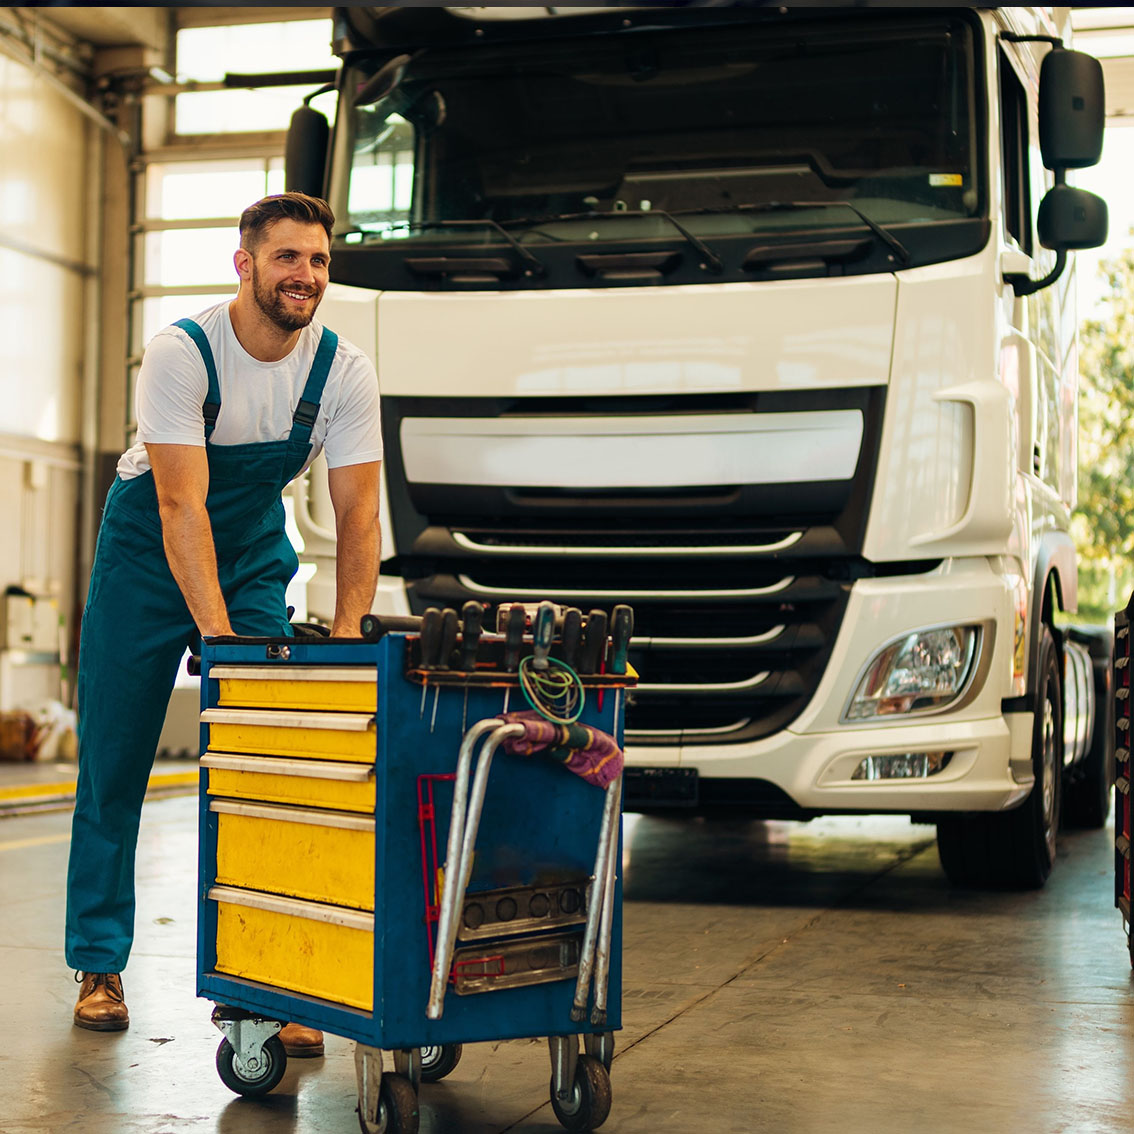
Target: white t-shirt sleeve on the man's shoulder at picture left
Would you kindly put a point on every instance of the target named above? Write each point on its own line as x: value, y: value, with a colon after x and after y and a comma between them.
x: 171, y: 391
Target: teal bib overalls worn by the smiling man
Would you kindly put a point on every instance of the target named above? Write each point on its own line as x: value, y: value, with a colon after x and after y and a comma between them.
x: 136, y: 630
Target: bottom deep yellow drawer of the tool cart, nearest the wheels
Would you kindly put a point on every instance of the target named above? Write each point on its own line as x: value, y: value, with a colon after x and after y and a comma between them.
x: 300, y: 946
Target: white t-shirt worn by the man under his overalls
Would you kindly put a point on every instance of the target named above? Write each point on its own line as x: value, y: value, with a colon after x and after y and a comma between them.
x: 257, y: 399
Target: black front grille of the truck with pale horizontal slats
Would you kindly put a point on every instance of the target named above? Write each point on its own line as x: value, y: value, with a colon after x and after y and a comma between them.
x: 737, y: 610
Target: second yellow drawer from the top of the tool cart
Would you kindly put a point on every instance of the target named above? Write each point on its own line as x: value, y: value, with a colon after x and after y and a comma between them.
x: 277, y: 733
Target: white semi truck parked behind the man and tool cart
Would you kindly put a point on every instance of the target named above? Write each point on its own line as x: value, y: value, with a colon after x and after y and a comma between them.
x: 763, y: 321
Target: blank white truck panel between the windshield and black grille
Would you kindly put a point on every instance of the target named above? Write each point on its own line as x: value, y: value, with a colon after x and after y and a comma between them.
x: 639, y: 341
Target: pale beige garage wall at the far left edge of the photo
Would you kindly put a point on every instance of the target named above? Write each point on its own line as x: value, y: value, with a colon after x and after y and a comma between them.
x: 46, y: 286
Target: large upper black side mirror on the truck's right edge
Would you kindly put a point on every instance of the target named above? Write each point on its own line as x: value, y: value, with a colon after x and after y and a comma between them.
x: 1072, y: 109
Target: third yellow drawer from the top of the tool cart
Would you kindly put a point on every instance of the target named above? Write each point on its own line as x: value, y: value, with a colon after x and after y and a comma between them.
x: 277, y: 780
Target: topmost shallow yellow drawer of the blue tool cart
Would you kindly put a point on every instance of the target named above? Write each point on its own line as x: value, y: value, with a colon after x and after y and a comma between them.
x: 340, y: 689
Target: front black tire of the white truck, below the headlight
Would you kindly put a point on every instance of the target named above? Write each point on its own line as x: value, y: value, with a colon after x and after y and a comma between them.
x: 1017, y: 850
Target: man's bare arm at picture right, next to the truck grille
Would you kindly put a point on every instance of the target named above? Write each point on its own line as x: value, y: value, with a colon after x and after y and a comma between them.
x: 356, y: 497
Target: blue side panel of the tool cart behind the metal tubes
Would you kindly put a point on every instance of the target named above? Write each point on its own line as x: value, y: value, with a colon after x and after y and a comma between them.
x: 540, y: 827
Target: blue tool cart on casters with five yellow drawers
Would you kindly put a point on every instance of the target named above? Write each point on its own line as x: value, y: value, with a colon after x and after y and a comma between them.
x: 379, y: 861
